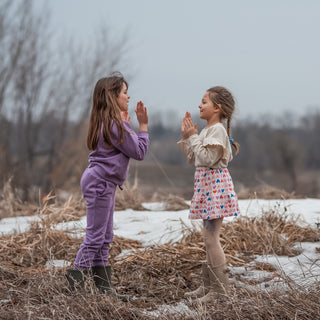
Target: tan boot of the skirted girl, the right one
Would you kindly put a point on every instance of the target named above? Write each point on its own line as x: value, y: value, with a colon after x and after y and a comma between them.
x: 219, y: 284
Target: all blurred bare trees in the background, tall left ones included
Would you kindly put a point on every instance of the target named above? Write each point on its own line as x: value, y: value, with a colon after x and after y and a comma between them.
x: 45, y: 97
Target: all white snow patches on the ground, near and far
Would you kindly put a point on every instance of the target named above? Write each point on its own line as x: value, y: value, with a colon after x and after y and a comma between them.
x: 158, y: 226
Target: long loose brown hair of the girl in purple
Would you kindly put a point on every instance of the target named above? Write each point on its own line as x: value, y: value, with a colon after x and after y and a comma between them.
x: 106, y: 110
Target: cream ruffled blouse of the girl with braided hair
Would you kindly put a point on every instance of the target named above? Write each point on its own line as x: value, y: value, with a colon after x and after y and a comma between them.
x: 211, y: 148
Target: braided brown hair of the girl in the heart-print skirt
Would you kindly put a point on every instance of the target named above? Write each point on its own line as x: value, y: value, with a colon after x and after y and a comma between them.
x: 223, y: 99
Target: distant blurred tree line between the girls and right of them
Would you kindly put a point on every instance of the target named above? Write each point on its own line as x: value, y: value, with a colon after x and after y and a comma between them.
x: 285, y: 154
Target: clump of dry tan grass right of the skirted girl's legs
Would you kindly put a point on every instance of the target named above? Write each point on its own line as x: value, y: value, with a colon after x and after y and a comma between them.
x: 272, y: 232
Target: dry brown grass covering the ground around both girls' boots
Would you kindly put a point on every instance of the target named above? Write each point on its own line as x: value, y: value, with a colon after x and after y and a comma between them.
x: 155, y: 275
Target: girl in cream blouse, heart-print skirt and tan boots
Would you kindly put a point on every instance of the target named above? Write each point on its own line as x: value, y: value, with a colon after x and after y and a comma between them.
x: 214, y: 196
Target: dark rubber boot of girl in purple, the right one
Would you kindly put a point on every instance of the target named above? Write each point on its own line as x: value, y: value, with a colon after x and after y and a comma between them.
x: 102, y: 280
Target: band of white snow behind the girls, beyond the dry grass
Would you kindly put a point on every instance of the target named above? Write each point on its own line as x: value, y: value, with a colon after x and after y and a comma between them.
x: 157, y: 226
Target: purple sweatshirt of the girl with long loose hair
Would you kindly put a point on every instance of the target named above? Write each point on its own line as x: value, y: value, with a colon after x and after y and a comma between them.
x: 112, y: 163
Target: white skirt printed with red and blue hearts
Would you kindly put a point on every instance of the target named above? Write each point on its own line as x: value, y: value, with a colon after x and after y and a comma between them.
x: 214, y: 195
